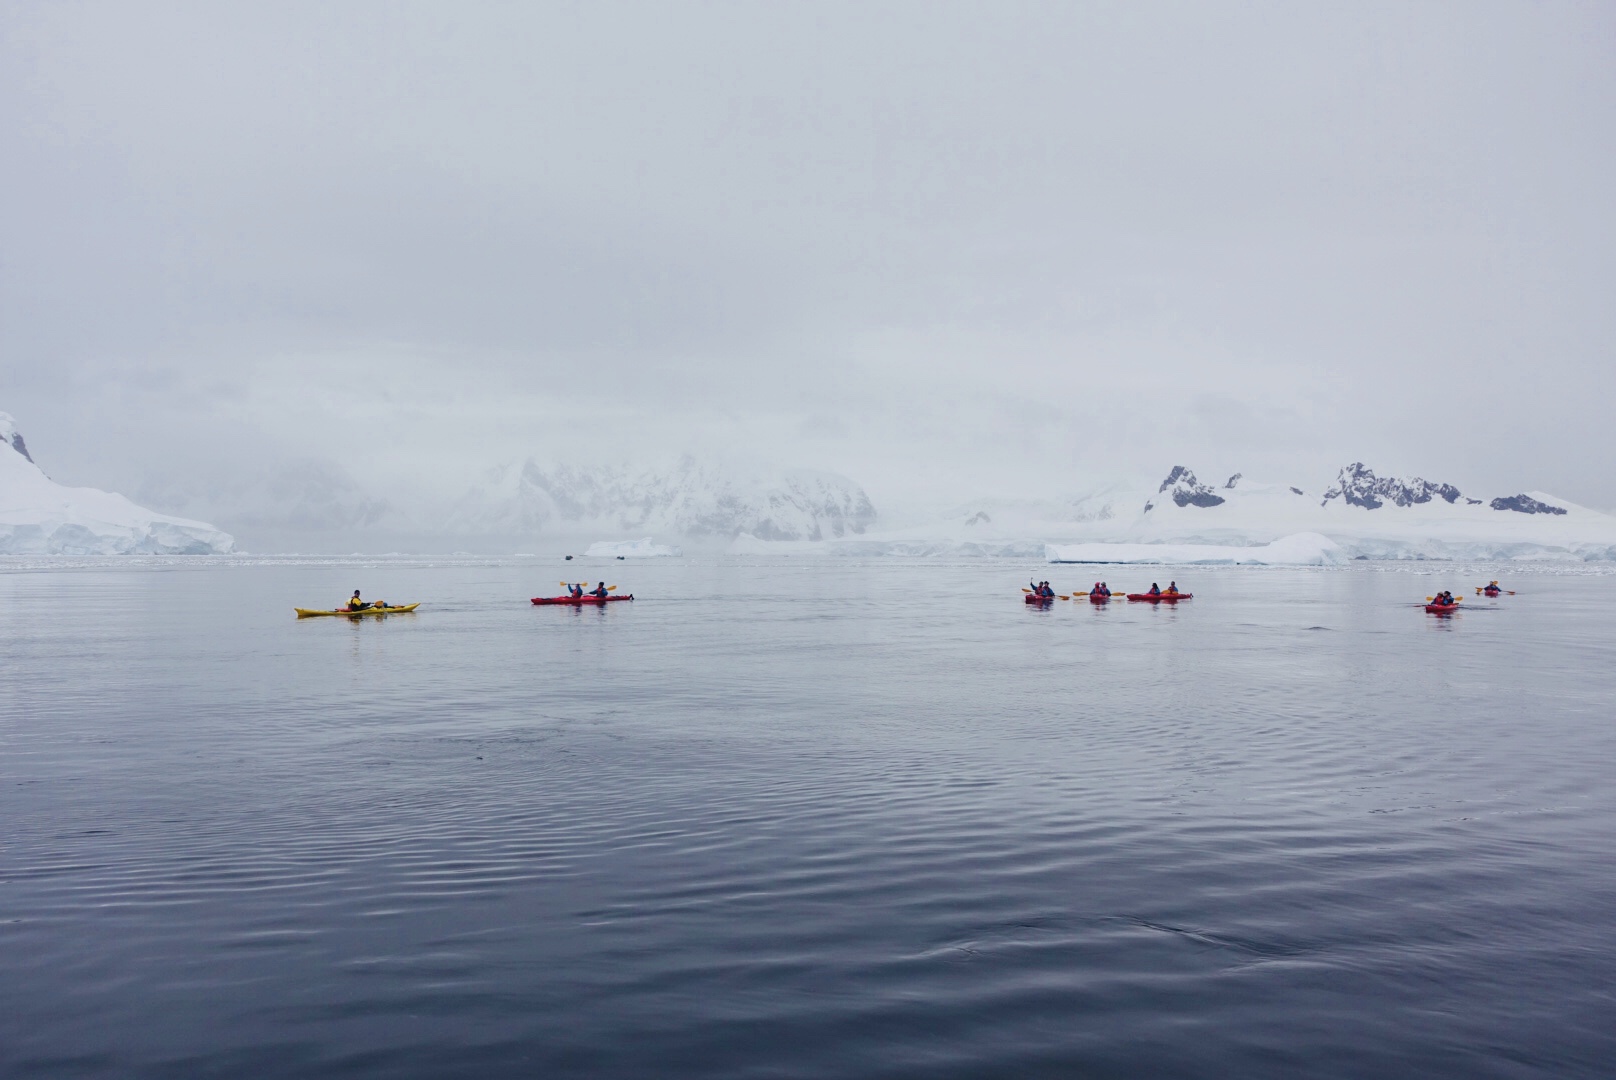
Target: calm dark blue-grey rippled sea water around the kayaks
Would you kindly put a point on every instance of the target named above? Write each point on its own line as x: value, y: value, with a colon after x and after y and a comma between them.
x: 804, y: 819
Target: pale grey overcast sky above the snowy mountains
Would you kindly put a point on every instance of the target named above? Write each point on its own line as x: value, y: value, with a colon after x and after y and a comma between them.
x: 978, y: 248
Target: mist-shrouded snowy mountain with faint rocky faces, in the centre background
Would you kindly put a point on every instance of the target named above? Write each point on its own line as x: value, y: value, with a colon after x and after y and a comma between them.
x: 688, y: 500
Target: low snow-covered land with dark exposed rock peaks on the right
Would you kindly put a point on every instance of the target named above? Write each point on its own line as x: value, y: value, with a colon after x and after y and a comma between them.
x: 1360, y: 515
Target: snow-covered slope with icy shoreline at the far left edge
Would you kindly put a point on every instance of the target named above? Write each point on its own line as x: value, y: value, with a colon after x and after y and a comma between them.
x: 40, y: 517
